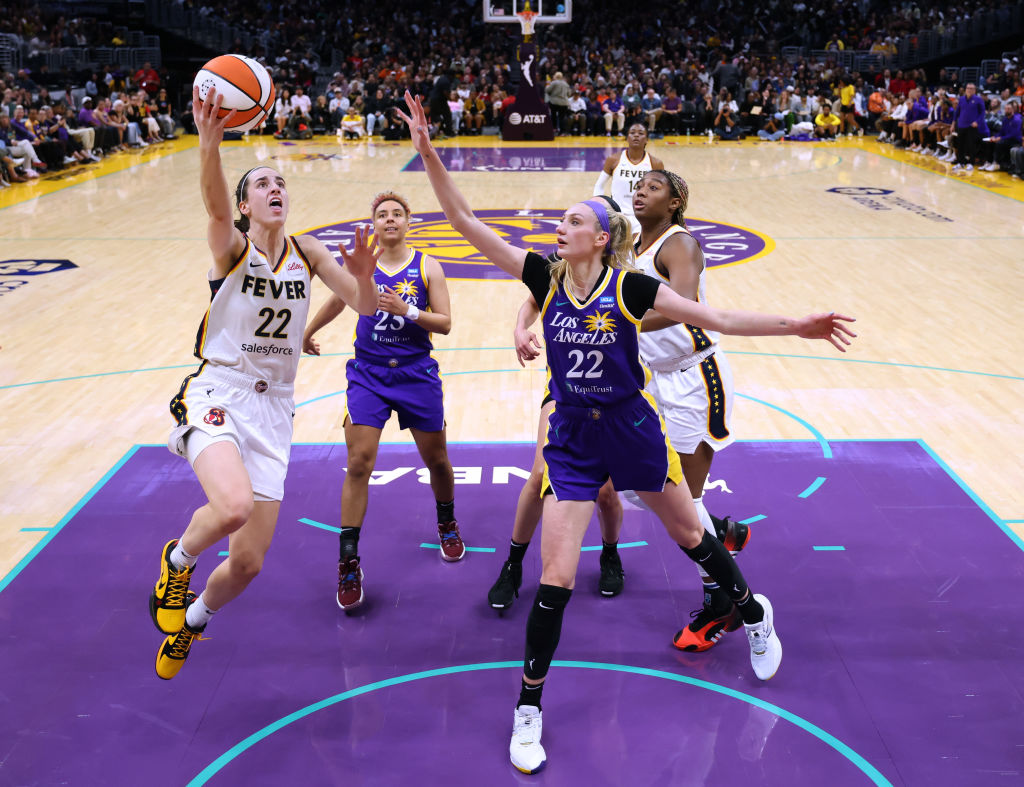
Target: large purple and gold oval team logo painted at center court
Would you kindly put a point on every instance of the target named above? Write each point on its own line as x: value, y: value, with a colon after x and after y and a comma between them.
x: 432, y: 234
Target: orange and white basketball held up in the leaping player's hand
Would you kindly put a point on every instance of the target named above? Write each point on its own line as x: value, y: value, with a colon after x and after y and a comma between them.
x: 244, y: 83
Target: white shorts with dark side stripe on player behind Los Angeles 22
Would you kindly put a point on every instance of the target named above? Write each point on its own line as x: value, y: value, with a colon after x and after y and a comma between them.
x: 697, y: 404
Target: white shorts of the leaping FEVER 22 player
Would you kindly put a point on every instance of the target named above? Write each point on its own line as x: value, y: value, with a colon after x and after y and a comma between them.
x: 255, y: 415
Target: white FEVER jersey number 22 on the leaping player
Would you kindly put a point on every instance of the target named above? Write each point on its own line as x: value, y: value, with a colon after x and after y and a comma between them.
x: 258, y: 315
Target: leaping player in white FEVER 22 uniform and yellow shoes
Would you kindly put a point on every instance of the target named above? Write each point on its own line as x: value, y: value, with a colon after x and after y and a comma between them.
x: 235, y: 414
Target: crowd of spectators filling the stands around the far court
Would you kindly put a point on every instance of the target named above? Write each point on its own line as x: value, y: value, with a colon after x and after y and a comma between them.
x: 714, y: 69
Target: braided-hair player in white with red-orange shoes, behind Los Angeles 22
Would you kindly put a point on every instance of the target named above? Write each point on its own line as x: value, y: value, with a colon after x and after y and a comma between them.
x: 691, y: 380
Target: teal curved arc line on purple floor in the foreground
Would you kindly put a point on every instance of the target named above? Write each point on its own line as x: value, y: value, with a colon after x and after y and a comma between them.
x: 240, y: 749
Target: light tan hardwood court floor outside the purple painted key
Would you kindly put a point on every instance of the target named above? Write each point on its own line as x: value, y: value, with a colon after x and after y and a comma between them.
x: 928, y: 264
